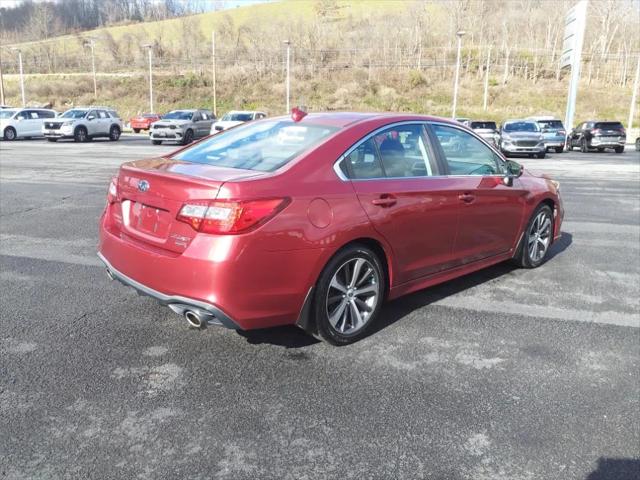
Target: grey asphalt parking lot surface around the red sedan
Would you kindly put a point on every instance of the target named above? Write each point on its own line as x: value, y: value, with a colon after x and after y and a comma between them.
x: 503, y: 374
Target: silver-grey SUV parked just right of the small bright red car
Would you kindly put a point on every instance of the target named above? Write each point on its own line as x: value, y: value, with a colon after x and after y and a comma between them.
x: 182, y: 126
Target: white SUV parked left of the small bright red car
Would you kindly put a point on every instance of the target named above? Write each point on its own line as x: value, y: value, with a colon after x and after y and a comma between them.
x: 83, y: 124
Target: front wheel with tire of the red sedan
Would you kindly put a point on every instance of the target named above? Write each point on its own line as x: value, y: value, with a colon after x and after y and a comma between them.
x: 537, y: 238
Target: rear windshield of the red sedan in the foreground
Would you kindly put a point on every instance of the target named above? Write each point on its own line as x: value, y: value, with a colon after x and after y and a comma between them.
x: 264, y: 146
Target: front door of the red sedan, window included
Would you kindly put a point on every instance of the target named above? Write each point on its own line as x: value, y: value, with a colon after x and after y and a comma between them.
x: 491, y: 212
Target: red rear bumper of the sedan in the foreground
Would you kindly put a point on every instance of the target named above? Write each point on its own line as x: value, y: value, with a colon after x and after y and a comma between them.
x: 231, y: 277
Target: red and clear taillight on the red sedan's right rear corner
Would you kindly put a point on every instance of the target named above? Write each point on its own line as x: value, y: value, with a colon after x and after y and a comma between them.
x: 230, y: 216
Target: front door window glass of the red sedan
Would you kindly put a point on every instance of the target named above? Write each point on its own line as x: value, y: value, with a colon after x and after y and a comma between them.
x: 465, y: 154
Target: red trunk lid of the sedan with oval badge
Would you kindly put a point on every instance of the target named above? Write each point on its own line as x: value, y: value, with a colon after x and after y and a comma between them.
x: 152, y: 192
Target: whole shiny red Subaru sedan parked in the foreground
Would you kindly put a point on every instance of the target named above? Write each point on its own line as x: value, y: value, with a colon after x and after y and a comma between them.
x: 316, y: 219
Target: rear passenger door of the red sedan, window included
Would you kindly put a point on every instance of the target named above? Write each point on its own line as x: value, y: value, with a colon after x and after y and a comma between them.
x: 394, y: 172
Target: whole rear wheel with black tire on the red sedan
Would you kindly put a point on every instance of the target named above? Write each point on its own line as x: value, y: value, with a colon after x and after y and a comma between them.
x: 348, y: 296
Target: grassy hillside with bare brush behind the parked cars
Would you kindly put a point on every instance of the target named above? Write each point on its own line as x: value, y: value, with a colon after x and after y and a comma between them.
x: 373, y: 55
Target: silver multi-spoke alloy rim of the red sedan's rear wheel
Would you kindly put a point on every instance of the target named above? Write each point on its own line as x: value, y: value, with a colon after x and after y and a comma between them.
x: 352, y: 296
